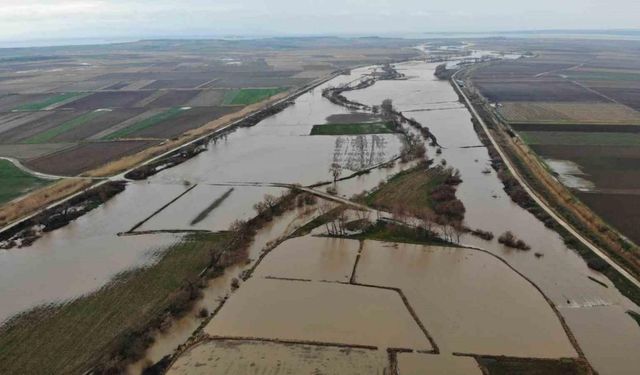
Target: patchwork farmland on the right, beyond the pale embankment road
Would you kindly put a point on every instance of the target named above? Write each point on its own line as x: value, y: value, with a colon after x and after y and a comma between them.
x: 579, y: 110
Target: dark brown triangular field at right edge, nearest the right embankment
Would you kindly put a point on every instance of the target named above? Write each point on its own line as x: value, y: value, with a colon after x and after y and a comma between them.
x: 621, y: 210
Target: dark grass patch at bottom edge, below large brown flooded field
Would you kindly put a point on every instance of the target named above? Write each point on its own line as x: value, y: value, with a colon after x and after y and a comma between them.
x: 509, y: 366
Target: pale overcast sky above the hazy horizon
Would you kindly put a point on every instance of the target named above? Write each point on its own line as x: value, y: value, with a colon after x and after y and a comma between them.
x: 71, y: 19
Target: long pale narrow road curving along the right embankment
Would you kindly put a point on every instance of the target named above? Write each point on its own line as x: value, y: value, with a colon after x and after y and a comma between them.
x: 535, y: 196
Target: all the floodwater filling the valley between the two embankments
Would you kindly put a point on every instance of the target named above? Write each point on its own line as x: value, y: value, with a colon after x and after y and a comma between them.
x: 468, y: 300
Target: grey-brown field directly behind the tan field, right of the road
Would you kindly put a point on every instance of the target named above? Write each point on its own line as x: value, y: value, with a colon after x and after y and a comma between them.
x: 545, y: 91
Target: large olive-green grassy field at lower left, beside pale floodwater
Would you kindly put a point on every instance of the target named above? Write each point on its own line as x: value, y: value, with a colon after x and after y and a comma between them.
x: 84, y: 333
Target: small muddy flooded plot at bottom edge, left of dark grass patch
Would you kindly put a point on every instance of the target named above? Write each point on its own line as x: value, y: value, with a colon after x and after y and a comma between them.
x: 420, y: 364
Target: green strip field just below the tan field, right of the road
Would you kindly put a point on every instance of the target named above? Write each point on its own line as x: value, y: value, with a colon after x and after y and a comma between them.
x: 580, y: 138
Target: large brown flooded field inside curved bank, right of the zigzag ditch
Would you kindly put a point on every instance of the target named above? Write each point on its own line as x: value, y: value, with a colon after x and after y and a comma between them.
x: 468, y: 300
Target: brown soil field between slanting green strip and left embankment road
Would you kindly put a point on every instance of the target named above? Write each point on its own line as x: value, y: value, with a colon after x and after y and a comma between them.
x: 187, y: 120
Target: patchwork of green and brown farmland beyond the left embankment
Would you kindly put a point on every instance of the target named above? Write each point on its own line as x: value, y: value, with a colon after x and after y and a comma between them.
x: 107, y: 102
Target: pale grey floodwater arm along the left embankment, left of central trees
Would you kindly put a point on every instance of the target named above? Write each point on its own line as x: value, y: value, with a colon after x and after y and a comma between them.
x: 86, y: 254
